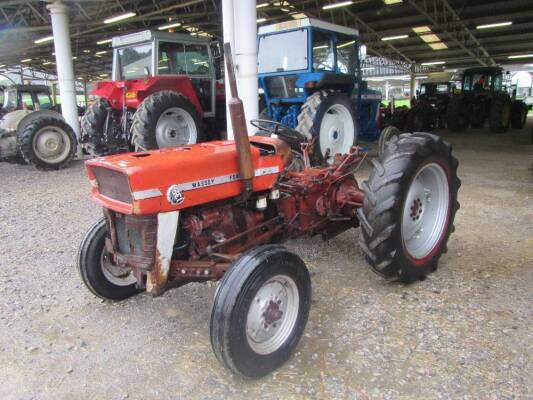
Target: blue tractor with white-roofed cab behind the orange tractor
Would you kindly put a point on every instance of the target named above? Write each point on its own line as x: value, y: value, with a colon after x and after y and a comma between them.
x: 310, y: 77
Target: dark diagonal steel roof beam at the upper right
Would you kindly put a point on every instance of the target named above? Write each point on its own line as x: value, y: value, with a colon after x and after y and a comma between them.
x: 442, y: 16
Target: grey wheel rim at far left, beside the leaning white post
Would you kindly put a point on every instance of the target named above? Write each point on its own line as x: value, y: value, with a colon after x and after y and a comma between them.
x: 51, y: 144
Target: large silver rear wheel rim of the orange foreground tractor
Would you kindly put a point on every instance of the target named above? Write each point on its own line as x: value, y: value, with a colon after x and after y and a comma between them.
x: 425, y: 211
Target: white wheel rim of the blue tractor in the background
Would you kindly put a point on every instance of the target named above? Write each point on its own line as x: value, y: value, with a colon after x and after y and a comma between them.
x: 337, y: 131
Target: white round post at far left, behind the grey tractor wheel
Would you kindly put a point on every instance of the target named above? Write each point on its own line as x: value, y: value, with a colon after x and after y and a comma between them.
x: 64, y: 65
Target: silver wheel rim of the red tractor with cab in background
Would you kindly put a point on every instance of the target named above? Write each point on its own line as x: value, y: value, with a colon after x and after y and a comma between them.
x: 175, y: 127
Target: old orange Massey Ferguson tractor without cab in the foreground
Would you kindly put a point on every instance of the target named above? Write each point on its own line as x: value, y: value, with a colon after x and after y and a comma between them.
x: 170, y: 218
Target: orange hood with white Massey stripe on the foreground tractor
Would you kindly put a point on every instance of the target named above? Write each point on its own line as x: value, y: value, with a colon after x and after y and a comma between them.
x: 181, y: 177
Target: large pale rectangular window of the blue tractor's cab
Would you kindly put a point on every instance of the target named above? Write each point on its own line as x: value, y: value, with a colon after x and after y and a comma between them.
x: 286, y: 51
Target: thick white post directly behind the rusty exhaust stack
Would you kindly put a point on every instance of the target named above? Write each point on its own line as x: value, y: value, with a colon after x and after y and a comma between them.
x: 239, y: 21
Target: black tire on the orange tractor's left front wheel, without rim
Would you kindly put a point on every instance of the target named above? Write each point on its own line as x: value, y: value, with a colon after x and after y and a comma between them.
x: 89, y: 266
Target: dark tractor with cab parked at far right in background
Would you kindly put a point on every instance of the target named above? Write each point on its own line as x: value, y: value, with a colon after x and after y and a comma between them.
x: 485, y: 97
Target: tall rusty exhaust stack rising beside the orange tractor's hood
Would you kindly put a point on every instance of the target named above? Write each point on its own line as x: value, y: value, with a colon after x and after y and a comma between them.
x: 238, y: 121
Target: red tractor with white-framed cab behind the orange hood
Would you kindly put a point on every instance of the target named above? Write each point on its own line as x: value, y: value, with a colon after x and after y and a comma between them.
x: 164, y: 93
